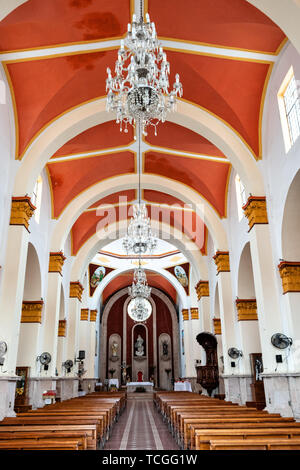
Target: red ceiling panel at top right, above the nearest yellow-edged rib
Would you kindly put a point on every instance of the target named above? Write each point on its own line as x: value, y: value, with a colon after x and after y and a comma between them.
x: 227, y: 23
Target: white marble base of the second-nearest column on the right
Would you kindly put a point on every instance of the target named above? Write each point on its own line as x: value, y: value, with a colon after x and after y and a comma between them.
x: 237, y: 388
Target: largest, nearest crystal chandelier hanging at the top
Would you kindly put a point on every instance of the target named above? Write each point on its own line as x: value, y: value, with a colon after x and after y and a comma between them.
x: 139, y: 92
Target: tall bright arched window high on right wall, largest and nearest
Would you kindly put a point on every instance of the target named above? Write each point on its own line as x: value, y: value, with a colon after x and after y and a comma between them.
x: 289, y: 106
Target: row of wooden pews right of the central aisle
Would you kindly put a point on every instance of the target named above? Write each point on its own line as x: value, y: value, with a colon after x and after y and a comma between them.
x: 199, y: 422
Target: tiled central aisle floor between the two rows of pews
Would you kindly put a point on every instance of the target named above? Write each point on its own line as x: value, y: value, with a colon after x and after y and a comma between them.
x: 140, y: 427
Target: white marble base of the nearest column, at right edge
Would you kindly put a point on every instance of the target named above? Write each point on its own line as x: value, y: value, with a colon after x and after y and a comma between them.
x: 282, y: 393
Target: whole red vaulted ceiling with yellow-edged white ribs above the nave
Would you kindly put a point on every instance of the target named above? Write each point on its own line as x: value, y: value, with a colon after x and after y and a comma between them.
x: 56, y: 52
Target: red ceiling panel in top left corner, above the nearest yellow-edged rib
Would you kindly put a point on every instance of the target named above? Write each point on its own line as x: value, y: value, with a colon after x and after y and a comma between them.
x: 40, y: 23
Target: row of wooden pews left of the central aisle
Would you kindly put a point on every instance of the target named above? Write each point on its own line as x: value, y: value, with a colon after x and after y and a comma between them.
x: 83, y: 423
